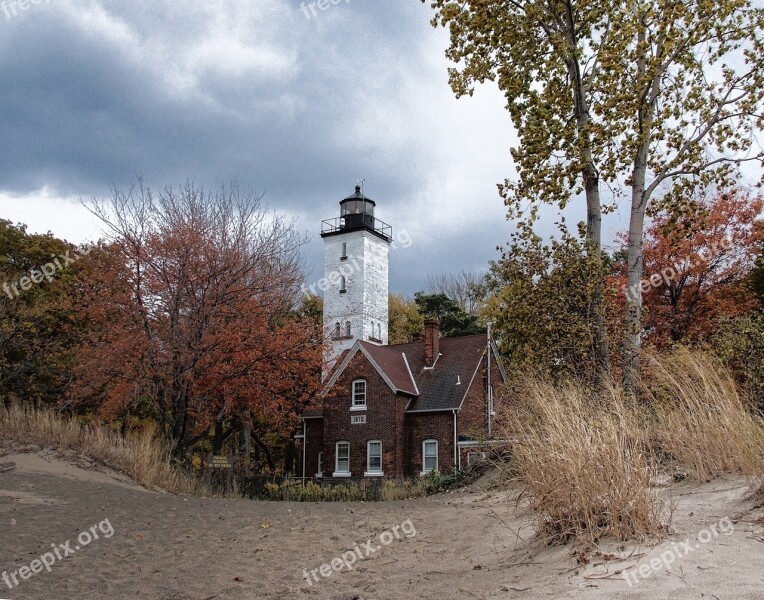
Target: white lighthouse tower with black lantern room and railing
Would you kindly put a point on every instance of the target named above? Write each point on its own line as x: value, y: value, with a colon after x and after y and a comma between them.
x: 356, y: 249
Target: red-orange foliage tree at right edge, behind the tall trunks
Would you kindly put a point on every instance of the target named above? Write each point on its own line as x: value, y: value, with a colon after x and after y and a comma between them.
x: 696, y: 268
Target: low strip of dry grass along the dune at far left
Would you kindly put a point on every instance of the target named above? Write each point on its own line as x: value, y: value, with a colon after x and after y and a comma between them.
x: 142, y: 457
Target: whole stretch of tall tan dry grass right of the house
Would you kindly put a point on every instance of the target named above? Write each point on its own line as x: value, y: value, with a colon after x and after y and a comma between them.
x: 587, y: 460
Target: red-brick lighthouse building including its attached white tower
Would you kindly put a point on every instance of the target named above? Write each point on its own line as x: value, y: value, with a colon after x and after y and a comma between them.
x: 389, y: 411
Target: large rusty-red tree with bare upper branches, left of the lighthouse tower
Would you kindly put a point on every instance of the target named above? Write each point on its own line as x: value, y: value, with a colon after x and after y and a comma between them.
x: 195, y: 298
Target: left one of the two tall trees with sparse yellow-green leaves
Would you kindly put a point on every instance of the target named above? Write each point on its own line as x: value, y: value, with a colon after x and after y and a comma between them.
x: 536, y: 51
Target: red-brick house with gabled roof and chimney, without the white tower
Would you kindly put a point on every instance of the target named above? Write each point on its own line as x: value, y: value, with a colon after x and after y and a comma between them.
x: 403, y: 410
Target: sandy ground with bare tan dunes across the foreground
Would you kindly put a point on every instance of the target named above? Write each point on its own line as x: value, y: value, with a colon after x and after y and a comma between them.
x: 467, y: 545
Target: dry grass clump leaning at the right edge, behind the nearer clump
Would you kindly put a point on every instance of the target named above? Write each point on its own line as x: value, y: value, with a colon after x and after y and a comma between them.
x: 699, y: 421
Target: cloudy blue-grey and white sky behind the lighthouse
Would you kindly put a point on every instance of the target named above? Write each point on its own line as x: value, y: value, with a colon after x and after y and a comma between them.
x: 295, y: 105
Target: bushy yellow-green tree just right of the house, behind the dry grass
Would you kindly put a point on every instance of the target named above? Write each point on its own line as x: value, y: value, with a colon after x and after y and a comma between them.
x: 540, y: 303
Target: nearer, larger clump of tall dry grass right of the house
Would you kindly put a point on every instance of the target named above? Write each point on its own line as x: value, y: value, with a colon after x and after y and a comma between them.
x: 584, y: 466
